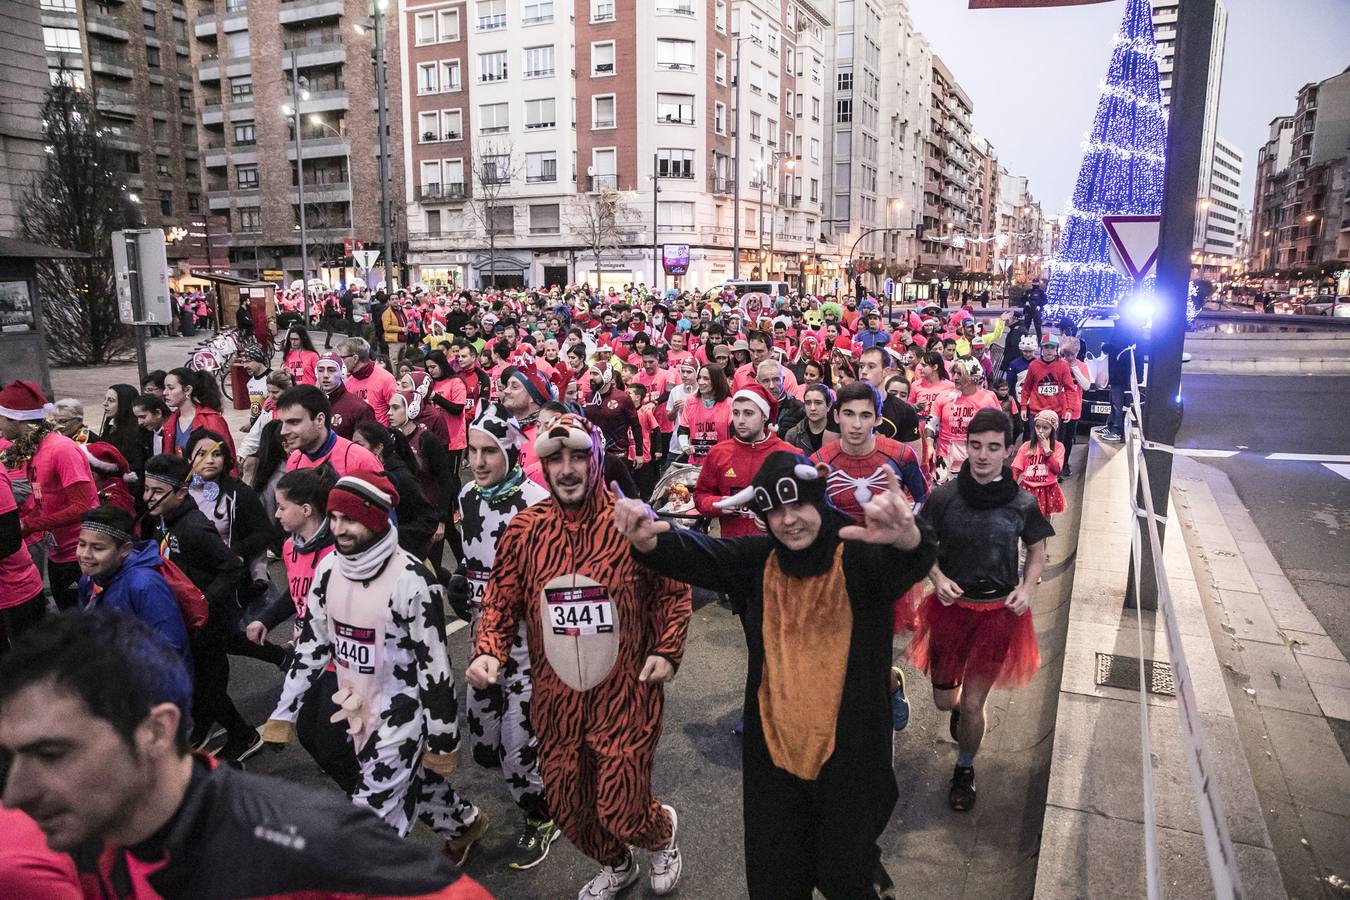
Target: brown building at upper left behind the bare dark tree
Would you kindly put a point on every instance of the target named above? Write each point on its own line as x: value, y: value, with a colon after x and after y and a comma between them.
x: 134, y: 61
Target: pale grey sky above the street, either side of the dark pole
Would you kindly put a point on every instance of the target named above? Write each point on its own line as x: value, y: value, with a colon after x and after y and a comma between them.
x: 1033, y: 75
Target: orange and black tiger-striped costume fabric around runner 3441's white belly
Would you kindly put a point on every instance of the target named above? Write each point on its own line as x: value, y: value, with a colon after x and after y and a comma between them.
x: 596, y: 747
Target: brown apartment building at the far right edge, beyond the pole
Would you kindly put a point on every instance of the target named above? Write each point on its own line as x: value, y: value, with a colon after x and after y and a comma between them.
x: 1301, y: 223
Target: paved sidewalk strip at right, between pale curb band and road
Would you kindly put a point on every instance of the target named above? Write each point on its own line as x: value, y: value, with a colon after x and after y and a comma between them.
x: 1285, y: 679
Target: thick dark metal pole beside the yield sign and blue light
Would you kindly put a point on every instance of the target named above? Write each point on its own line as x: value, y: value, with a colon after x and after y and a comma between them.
x: 1181, y: 188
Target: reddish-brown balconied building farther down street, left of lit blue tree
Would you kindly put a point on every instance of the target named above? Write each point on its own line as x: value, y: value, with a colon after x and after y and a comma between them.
x: 948, y: 177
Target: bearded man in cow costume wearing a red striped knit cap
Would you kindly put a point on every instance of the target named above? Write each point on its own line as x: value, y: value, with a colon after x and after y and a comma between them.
x: 376, y: 613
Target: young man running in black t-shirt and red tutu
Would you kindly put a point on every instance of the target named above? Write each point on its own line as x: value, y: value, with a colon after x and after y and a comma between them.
x: 977, y: 631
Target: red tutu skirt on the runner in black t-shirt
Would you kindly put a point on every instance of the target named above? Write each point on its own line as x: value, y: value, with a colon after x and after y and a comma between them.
x: 989, y: 643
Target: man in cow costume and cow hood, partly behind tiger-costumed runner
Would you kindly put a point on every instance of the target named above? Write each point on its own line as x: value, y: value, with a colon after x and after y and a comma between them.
x: 500, y: 733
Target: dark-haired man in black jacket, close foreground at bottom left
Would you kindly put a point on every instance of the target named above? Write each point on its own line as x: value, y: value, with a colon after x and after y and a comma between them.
x: 133, y: 806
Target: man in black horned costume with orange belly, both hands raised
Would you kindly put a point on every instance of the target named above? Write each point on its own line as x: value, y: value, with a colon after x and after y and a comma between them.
x: 819, y: 779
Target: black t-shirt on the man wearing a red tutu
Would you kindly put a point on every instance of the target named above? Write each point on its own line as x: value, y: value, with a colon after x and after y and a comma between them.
x: 981, y: 546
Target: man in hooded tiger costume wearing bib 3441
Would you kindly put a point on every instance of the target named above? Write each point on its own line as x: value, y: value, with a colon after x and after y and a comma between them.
x: 604, y: 636
